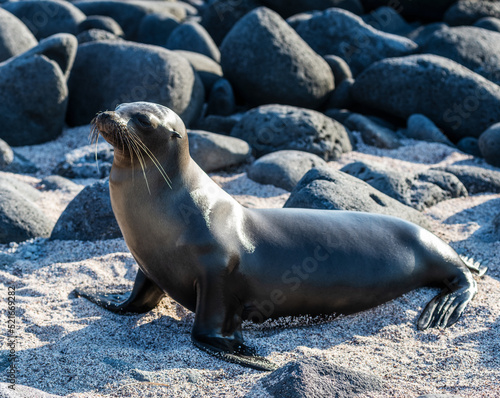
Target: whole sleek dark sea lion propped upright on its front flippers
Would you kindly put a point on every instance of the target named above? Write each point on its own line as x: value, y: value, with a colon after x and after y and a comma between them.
x: 227, y: 263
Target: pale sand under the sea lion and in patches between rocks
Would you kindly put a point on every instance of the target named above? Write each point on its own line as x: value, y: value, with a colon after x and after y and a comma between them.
x: 70, y: 347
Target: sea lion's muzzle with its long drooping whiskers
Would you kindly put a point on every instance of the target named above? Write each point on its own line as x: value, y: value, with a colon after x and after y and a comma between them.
x: 117, y: 133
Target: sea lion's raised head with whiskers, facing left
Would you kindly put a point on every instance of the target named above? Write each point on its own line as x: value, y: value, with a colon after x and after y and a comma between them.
x: 143, y: 133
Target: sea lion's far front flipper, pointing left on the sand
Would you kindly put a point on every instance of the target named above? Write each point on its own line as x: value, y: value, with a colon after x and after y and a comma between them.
x: 144, y: 297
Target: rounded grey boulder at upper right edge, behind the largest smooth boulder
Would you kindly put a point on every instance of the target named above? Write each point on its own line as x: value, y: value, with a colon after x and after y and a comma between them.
x: 475, y: 48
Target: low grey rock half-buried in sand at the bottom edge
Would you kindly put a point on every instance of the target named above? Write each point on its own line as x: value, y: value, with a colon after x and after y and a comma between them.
x: 317, y: 378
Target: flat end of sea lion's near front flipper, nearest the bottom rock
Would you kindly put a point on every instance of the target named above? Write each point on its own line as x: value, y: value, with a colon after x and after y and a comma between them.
x: 241, y: 354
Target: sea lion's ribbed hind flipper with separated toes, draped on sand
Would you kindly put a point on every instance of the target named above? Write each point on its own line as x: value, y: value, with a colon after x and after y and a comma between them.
x: 445, y: 309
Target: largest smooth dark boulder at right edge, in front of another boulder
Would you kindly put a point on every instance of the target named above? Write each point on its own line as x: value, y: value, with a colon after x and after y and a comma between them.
x: 459, y: 101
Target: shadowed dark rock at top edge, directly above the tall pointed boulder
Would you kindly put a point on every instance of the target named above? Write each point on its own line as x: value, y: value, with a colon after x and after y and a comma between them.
x: 287, y: 8
